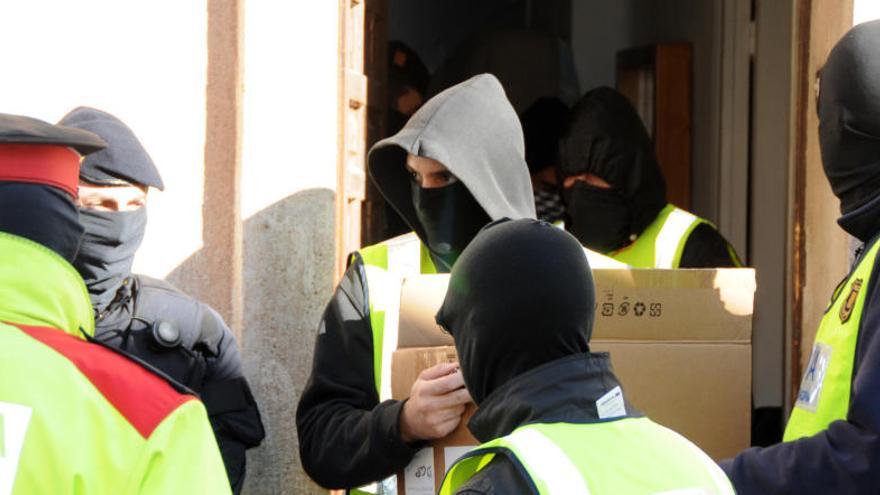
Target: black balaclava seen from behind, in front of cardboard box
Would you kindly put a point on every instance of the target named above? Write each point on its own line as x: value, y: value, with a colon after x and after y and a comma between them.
x: 521, y: 295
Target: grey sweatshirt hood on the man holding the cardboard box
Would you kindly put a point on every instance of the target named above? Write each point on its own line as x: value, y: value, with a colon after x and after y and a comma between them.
x: 472, y: 129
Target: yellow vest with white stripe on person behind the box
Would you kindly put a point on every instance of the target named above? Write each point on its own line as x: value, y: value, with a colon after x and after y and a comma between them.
x: 661, y: 244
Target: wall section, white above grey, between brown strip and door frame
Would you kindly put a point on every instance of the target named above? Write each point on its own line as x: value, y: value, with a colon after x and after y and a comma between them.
x: 288, y: 192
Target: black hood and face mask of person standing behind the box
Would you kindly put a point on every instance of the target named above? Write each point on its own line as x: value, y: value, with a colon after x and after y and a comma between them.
x: 606, y: 137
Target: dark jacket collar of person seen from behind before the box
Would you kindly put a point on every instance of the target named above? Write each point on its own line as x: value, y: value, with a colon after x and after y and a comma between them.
x: 561, y: 391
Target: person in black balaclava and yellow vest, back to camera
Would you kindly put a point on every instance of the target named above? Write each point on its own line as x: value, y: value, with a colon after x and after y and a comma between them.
x: 554, y: 418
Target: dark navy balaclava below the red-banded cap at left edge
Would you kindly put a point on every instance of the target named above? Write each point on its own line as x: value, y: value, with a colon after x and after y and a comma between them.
x: 42, y: 214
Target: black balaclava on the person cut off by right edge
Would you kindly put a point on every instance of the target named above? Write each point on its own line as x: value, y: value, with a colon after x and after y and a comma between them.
x: 849, y: 128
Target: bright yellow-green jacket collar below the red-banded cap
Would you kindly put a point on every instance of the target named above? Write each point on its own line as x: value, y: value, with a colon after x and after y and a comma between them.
x: 40, y: 288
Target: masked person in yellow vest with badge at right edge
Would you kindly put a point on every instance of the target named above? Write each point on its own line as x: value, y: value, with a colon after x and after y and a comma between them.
x: 832, y: 441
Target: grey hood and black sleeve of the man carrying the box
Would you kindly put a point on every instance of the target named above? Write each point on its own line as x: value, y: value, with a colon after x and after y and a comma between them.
x: 347, y: 438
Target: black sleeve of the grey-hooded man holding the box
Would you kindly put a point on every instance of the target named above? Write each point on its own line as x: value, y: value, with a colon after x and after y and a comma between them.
x: 346, y: 437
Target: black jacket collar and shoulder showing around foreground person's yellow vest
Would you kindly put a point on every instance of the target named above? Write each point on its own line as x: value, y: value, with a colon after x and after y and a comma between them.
x: 578, y: 381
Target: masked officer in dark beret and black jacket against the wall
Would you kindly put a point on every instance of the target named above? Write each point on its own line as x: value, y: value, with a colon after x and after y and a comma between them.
x: 172, y: 331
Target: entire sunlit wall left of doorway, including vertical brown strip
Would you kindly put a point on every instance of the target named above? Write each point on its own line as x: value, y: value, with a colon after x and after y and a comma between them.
x: 237, y: 104
